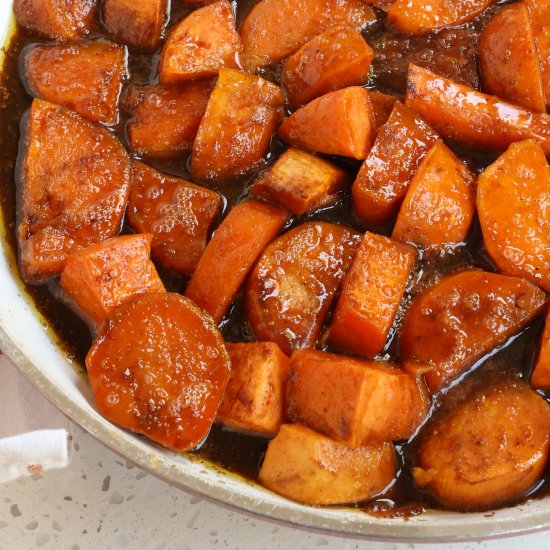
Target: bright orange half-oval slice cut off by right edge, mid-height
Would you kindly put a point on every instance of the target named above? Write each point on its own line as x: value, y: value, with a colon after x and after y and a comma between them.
x: 513, y: 195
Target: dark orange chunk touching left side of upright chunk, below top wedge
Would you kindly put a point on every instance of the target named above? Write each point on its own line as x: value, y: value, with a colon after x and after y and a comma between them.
x: 164, y: 120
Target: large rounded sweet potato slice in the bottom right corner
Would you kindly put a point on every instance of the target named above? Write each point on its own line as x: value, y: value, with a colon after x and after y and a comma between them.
x: 487, y: 452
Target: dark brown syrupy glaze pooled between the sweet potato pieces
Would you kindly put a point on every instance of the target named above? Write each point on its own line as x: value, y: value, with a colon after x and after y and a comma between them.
x: 451, y: 52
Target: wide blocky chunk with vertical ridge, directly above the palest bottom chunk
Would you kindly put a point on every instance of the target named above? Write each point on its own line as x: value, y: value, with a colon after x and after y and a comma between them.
x: 354, y: 401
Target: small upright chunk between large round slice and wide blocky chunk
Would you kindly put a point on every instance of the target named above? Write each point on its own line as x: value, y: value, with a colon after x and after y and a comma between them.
x: 254, y: 400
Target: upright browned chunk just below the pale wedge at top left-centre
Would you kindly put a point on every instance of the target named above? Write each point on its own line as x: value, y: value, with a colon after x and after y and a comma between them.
x: 235, y: 134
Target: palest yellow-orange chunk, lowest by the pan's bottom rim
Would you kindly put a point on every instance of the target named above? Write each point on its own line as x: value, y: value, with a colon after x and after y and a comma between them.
x: 308, y: 467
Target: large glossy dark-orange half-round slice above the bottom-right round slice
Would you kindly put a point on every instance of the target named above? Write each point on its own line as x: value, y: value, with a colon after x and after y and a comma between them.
x: 462, y: 318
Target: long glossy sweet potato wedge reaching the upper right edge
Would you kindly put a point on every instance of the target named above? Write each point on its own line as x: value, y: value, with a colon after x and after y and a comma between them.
x: 462, y: 114
